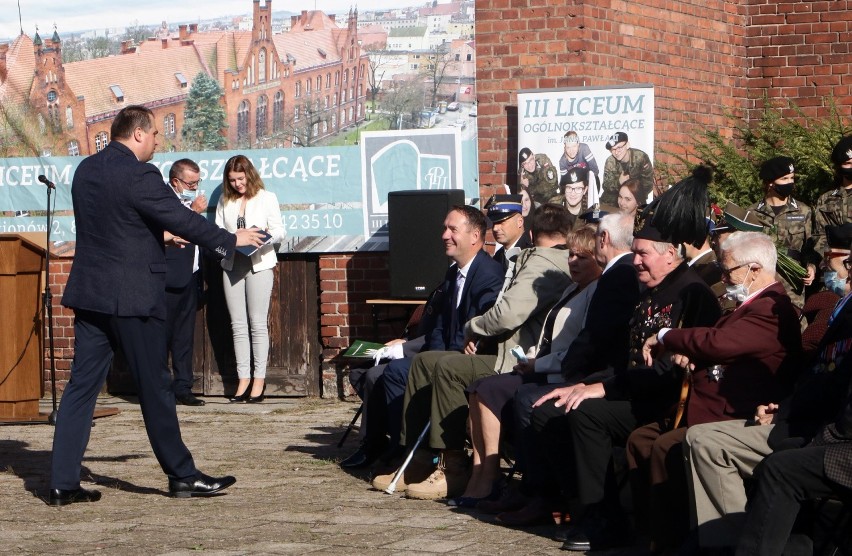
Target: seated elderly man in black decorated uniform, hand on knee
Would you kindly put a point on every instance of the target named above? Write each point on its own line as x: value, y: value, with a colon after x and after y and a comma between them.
x: 581, y: 424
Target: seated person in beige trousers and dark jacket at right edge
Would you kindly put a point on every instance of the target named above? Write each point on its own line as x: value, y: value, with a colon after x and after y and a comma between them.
x: 721, y: 455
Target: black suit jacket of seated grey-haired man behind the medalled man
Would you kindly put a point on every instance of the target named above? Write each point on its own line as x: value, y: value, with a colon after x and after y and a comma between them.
x: 603, y: 341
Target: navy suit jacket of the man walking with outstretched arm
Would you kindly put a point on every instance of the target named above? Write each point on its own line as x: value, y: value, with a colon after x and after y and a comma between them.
x: 121, y: 209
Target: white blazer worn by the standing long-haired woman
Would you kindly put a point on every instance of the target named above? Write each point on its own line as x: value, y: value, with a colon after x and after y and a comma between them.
x: 262, y: 211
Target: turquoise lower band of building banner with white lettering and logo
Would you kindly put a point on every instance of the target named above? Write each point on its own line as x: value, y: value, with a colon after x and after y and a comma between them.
x: 333, y: 199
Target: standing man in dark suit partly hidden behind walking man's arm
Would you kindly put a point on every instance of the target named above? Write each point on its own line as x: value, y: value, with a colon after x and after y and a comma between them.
x: 183, y: 281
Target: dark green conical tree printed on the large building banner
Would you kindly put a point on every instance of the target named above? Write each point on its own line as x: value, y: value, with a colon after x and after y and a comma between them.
x: 204, y: 117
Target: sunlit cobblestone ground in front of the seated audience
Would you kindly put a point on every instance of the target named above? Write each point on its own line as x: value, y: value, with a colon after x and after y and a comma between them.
x: 290, y: 496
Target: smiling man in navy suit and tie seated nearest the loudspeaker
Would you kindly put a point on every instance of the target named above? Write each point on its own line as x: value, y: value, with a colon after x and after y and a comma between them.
x: 443, y: 320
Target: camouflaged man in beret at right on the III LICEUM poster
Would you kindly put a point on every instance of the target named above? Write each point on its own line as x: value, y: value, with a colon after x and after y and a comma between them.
x: 625, y: 163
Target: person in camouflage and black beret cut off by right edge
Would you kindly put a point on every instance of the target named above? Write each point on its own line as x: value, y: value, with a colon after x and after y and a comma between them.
x: 834, y: 208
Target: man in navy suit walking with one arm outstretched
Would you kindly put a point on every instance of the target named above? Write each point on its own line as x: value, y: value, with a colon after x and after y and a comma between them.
x: 117, y: 289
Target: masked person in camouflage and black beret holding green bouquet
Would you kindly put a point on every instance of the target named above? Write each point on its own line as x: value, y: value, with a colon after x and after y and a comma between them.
x: 789, y: 221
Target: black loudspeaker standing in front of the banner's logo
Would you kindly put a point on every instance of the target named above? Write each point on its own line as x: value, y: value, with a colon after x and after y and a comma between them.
x: 415, y: 225
